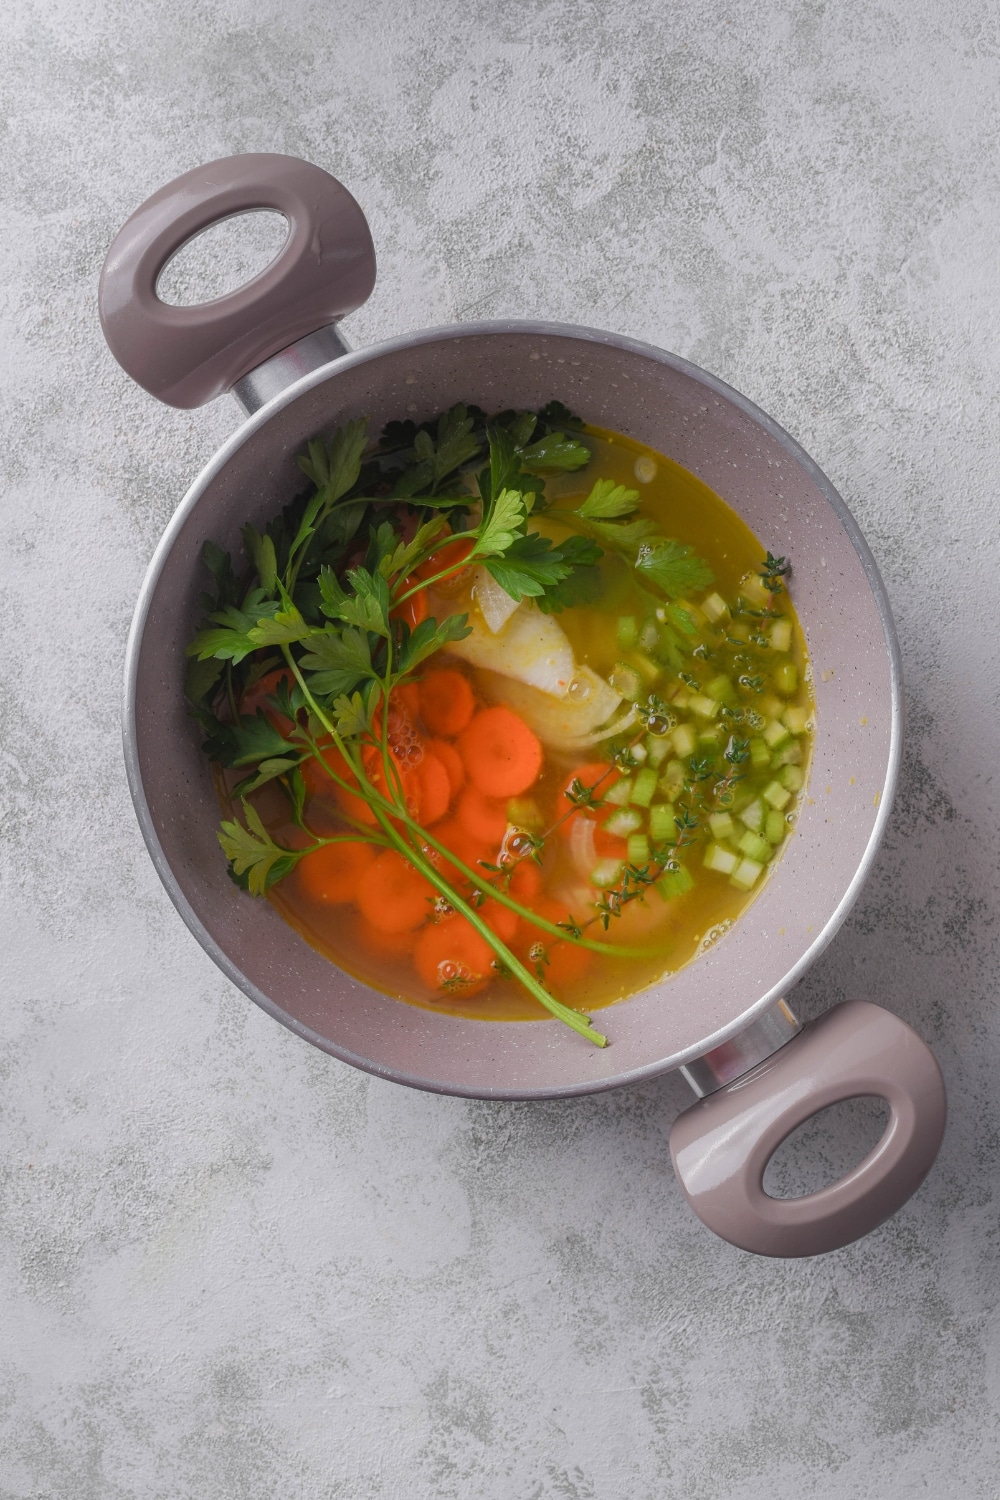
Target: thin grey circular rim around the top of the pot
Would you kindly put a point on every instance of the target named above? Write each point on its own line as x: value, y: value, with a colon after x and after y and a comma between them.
x: 539, y: 329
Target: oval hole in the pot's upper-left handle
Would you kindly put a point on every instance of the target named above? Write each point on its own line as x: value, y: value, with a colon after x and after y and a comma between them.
x: 223, y: 259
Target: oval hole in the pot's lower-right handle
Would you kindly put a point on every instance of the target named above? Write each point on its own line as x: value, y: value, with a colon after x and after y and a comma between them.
x: 827, y: 1147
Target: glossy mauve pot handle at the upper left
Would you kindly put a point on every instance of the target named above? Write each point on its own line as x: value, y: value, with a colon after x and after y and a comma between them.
x: 187, y: 356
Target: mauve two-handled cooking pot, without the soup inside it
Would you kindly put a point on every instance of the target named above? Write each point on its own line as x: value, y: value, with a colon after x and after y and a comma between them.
x: 723, y: 1021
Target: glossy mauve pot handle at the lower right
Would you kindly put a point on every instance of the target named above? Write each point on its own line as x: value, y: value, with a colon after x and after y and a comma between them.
x: 723, y: 1144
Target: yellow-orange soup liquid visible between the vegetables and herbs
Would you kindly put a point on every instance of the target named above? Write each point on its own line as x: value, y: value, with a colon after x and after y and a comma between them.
x: 669, y: 932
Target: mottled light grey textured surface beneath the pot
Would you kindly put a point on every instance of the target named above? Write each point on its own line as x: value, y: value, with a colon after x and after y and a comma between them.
x: 235, y: 1268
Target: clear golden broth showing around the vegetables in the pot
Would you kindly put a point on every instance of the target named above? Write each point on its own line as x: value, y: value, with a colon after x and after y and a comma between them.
x: 671, y: 931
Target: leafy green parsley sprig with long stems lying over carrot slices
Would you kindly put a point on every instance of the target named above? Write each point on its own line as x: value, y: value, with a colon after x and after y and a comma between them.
x: 325, y: 599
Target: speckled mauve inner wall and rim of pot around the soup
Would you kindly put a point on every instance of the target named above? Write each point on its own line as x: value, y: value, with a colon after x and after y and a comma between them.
x: 791, y: 508
